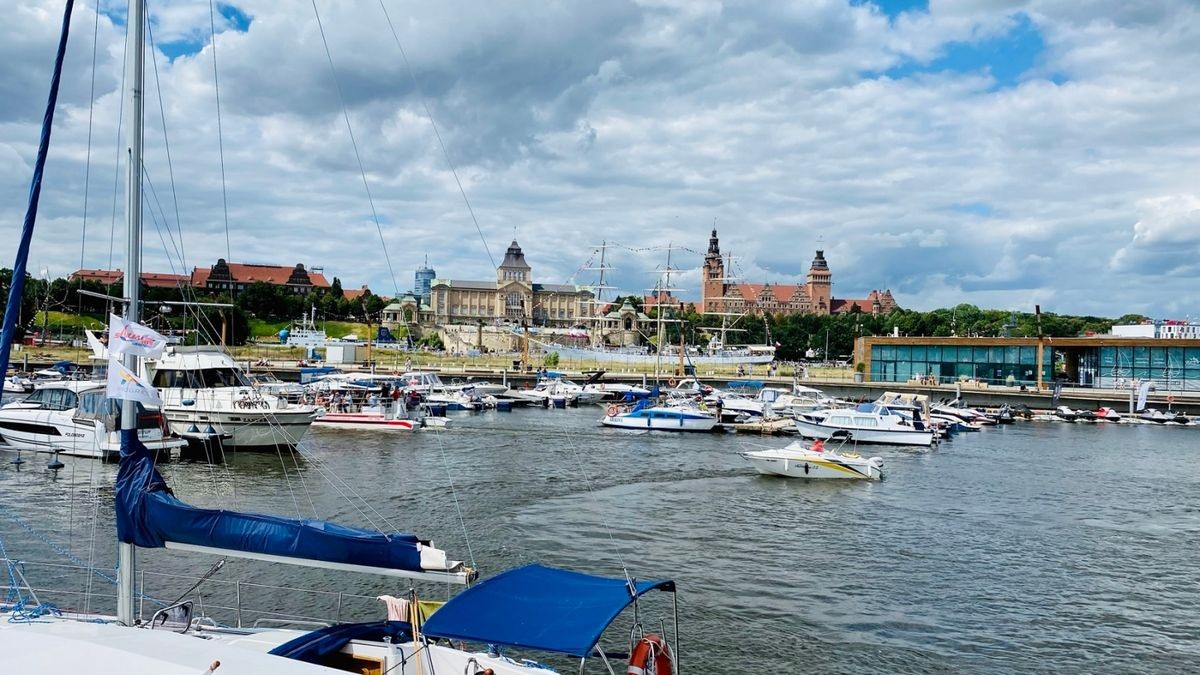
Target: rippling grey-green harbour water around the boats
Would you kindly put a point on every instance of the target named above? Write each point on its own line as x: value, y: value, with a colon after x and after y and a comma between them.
x: 1037, y: 547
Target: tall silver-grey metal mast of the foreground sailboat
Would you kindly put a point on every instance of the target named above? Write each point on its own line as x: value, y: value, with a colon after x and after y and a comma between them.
x: 134, y: 104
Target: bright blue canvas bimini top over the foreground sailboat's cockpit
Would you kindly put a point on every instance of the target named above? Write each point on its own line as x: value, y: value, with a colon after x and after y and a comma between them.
x: 541, y: 608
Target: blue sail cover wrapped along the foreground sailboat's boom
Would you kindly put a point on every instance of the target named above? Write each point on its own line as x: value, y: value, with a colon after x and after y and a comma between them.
x: 149, y: 516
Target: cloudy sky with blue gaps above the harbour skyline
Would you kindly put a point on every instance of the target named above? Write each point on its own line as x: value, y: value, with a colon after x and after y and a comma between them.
x: 1001, y: 153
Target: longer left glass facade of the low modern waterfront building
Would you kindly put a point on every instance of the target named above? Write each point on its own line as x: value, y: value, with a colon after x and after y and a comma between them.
x: 993, y: 365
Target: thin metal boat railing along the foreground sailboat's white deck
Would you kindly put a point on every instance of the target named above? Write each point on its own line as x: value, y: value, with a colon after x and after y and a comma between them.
x: 218, y: 602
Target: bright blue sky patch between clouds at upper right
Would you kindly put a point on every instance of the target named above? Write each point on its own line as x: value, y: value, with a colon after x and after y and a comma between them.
x: 1006, y: 57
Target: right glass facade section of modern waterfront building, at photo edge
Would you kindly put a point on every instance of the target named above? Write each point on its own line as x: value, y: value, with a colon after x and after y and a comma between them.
x: 1169, y: 368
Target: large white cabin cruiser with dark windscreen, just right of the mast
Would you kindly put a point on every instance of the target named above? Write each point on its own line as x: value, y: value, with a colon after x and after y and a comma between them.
x: 205, y: 392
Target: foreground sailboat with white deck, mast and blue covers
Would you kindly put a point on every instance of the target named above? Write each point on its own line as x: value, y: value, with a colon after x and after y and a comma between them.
x: 532, y: 607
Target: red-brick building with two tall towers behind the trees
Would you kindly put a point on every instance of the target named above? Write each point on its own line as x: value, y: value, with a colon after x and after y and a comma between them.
x: 719, y: 295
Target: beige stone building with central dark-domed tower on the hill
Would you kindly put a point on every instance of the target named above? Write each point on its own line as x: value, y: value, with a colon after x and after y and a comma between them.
x: 512, y: 298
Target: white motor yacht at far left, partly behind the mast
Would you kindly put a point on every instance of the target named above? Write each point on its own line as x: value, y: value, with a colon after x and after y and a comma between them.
x: 75, y: 419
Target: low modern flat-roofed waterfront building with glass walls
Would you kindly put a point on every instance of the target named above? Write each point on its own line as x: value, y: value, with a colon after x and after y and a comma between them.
x: 1103, y: 362
